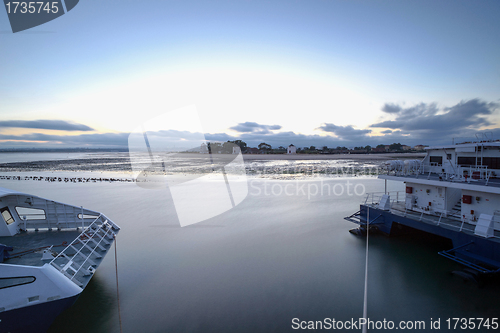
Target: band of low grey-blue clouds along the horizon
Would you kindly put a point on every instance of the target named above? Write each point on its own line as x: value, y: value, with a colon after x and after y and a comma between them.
x: 424, y: 123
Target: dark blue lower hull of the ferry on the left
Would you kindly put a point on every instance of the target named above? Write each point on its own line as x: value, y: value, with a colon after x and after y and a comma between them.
x: 34, y: 318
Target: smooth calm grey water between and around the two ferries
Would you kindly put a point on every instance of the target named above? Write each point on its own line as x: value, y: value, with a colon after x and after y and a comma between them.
x: 254, y: 268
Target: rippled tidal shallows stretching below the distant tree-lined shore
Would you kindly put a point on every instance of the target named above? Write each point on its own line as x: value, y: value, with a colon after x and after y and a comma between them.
x: 188, y: 164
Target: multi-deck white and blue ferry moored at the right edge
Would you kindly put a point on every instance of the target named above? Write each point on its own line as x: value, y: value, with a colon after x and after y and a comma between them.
x: 454, y: 193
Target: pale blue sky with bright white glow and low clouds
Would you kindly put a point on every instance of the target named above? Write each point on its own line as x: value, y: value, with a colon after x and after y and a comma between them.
x: 317, y: 72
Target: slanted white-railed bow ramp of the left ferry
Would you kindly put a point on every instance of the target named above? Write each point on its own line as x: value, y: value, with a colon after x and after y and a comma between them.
x: 99, y: 235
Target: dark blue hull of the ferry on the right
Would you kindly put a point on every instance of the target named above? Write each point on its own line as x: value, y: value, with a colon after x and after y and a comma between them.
x: 482, y: 254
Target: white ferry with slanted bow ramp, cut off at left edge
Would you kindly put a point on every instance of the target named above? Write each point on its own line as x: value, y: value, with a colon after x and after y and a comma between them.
x: 49, y: 251
